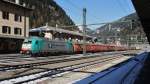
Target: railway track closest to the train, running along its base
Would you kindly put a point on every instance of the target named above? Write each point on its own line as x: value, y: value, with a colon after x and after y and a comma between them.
x: 19, y: 57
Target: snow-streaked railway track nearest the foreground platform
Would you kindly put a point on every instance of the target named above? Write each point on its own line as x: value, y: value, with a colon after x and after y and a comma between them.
x: 53, y: 72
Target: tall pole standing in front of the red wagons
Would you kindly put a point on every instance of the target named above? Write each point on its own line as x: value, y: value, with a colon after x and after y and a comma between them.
x: 84, y: 31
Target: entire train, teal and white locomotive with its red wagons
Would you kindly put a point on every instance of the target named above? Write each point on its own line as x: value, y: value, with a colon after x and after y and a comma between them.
x: 39, y: 46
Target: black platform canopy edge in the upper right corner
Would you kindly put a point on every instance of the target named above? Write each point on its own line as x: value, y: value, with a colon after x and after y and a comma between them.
x: 143, y: 10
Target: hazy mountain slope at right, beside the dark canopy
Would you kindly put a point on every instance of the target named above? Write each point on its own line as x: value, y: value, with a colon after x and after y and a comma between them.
x: 122, y: 28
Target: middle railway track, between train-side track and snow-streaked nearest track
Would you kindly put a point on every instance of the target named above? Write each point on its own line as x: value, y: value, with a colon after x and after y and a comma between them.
x: 45, y: 61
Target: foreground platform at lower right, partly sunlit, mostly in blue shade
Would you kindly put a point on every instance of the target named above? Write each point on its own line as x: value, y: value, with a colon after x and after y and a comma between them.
x: 125, y: 70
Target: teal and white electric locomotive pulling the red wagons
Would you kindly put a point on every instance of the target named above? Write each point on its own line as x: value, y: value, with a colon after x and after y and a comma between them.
x: 41, y: 46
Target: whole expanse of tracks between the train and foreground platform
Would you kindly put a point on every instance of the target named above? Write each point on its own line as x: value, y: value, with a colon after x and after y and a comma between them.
x: 17, y: 68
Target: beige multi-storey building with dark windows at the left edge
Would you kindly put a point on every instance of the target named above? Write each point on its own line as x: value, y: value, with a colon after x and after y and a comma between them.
x: 14, y: 25
